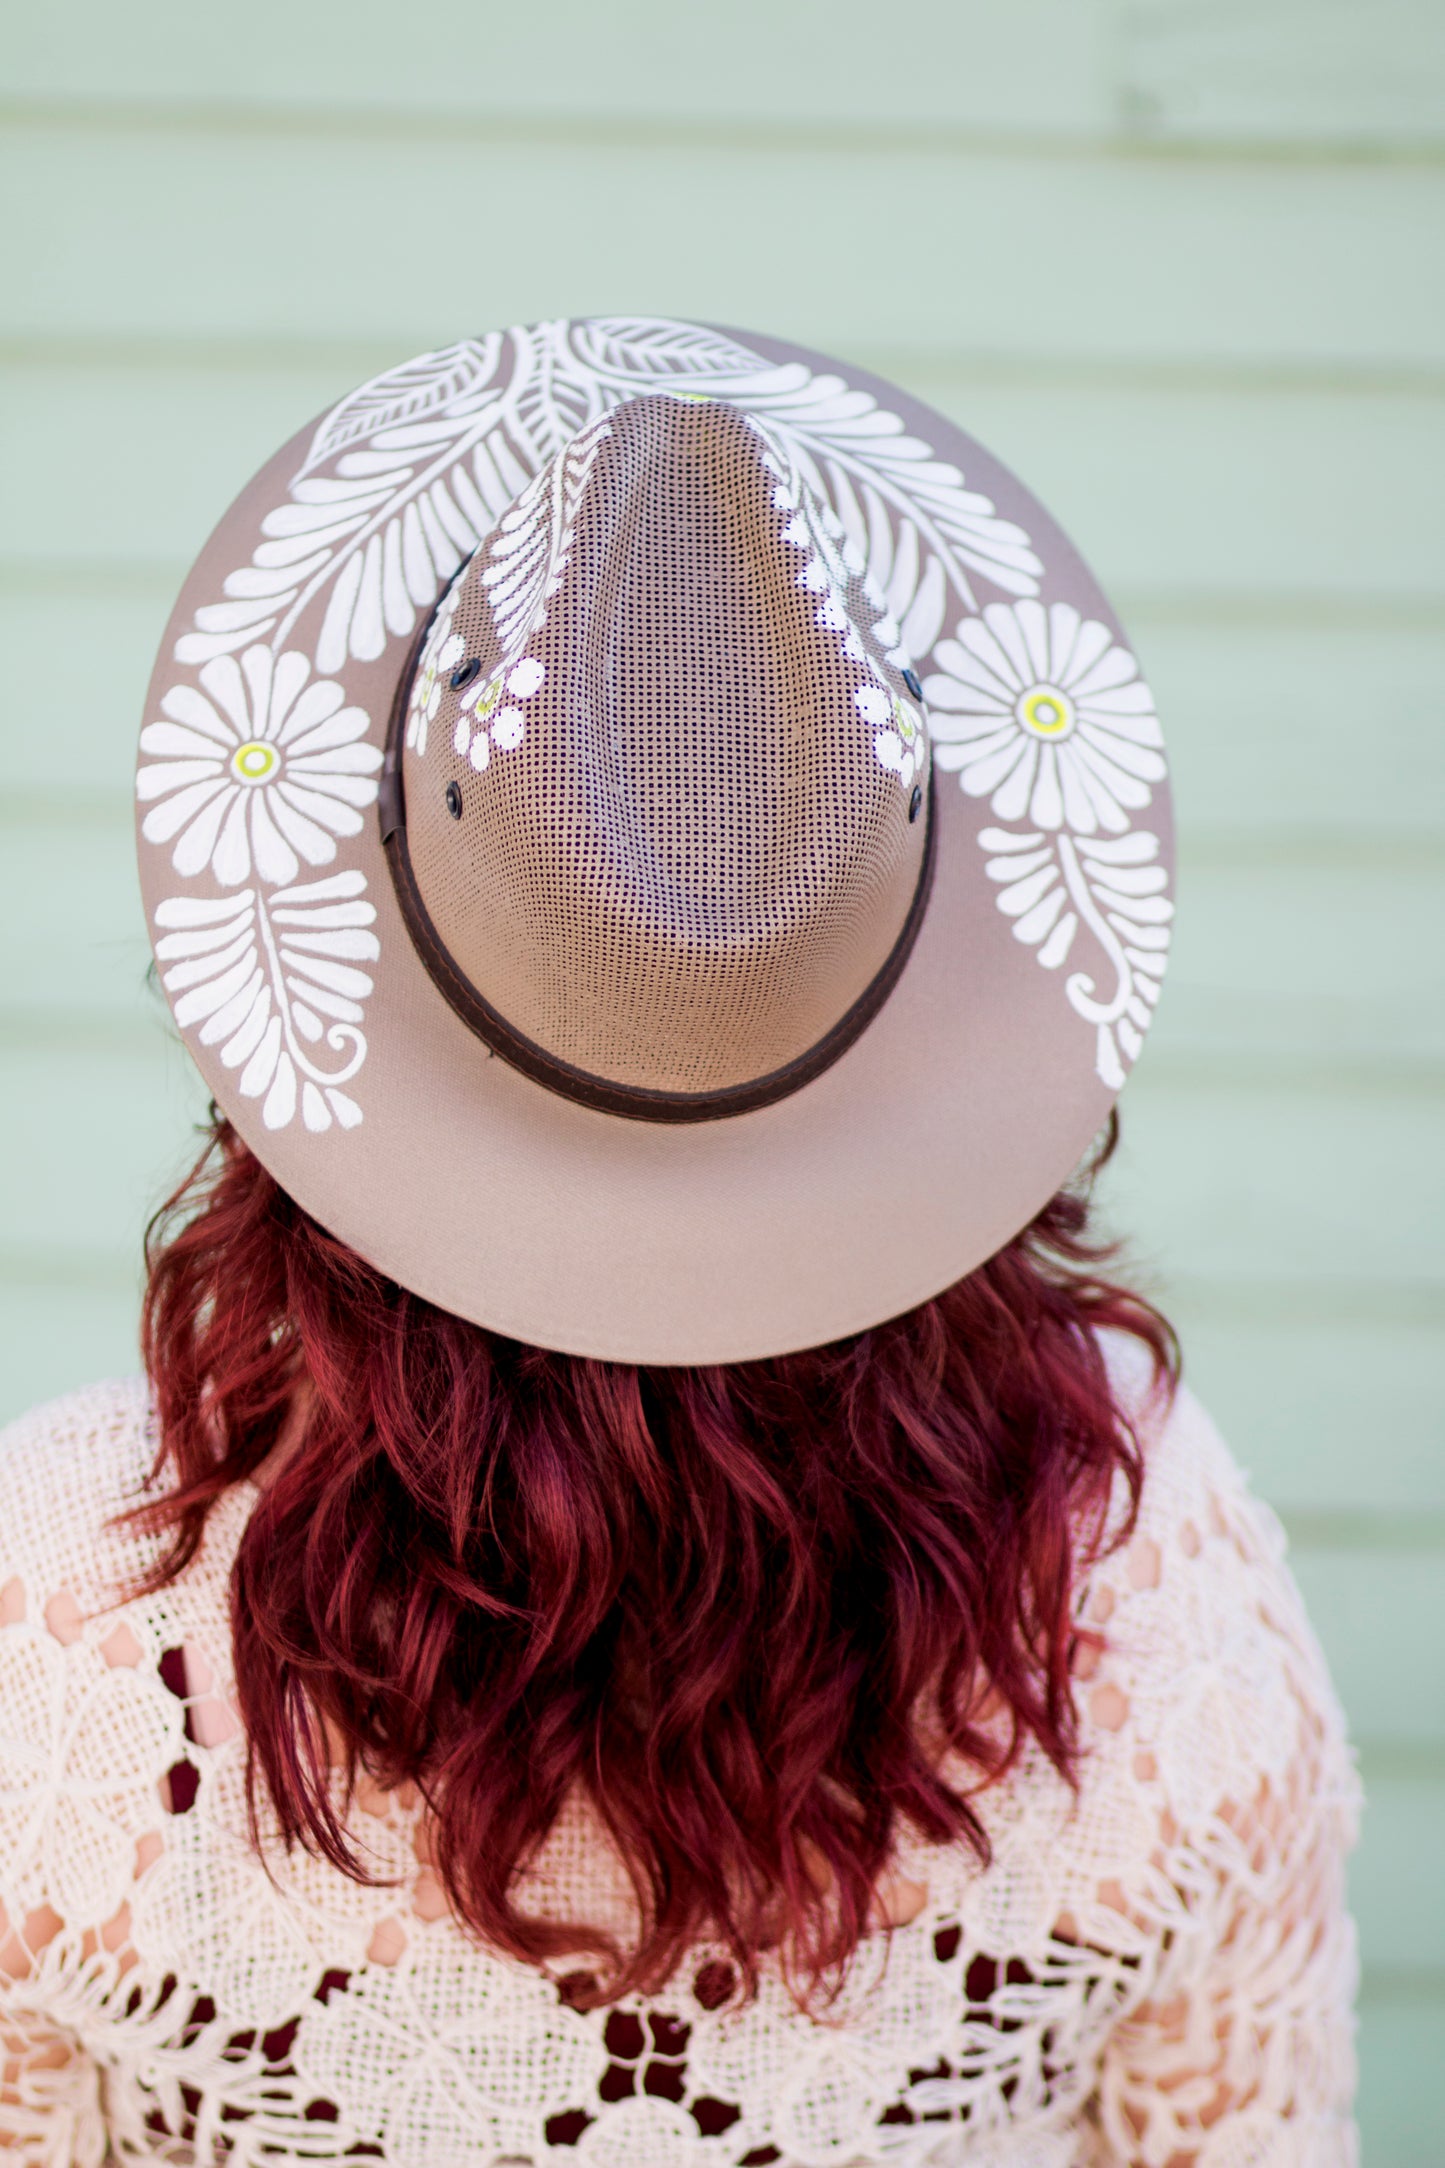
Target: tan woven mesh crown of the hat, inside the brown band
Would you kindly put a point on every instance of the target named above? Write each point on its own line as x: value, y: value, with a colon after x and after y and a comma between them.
x: 666, y: 790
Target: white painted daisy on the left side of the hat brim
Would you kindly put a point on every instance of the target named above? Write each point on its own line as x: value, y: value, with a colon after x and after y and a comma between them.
x: 259, y: 771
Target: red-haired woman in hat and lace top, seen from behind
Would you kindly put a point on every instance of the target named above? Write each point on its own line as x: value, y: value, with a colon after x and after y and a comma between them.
x: 662, y: 1601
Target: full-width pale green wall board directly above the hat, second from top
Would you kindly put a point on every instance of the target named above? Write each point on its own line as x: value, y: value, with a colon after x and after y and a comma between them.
x: 354, y: 235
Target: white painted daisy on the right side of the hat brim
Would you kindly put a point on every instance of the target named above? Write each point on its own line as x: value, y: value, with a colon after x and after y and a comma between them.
x: 1041, y: 714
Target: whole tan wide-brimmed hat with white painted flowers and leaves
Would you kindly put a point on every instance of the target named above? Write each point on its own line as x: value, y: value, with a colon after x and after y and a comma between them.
x: 653, y: 838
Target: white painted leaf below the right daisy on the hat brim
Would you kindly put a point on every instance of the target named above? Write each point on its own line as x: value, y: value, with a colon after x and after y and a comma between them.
x: 1115, y: 886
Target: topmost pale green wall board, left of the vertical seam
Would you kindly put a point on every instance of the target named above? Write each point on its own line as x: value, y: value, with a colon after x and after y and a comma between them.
x: 1037, y: 68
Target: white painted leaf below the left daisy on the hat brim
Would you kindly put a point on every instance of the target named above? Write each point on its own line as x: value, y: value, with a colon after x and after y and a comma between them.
x: 270, y: 977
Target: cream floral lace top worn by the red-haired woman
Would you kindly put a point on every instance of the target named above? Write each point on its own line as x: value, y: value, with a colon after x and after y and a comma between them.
x: 1154, y: 1972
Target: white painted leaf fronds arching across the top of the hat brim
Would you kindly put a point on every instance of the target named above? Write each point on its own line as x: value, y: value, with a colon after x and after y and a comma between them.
x: 411, y: 472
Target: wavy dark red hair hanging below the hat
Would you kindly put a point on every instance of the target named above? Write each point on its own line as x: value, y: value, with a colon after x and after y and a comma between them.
x: 740, y: 1610
